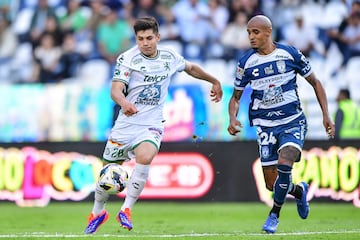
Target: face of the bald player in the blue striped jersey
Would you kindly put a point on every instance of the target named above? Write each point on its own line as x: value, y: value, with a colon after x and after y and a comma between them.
x: 258, y: 36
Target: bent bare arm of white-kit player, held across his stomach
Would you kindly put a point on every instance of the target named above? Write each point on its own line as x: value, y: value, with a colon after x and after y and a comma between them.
x: 117, y: 94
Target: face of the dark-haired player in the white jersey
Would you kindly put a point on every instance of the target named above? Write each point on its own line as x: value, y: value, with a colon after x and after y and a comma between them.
x: 147, y: 42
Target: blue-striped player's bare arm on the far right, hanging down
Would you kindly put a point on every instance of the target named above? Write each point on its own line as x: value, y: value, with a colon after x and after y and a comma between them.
x: 321, y: 97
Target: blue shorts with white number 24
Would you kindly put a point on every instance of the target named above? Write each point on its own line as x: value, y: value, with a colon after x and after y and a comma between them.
x: 272, y: 139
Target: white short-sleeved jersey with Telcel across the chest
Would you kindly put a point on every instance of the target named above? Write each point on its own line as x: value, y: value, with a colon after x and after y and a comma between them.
x: 147, y: 81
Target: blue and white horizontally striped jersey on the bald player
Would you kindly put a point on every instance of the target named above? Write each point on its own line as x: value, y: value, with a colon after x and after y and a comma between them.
x: 272, y: 77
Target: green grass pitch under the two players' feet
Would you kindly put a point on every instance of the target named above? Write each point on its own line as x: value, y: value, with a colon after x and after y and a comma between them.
x: 175, y: 220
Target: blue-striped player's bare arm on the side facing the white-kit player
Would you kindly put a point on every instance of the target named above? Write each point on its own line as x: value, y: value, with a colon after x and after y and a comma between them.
x: 233, y: 108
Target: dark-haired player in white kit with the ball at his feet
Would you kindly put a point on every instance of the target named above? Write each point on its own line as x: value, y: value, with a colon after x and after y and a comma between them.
x: 140, y: 85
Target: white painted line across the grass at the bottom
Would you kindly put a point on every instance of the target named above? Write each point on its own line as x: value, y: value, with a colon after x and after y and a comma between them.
x: 60, y: 235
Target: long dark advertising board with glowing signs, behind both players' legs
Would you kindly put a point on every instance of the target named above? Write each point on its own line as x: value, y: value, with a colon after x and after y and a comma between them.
x: 203, y: 171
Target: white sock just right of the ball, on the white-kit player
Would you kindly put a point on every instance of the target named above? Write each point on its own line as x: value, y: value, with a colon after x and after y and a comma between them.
x: 136, y: 184
